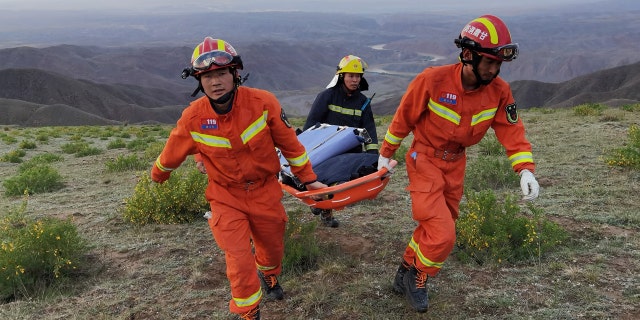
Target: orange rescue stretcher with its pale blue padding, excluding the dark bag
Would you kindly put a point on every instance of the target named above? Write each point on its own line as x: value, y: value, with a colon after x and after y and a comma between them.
x: 323, y: 142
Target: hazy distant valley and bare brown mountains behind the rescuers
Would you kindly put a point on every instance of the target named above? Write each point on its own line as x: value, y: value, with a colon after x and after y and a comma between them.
x: 131, y: 74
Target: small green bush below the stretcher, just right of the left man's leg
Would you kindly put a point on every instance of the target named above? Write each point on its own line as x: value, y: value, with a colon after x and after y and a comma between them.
x: 300, y: 244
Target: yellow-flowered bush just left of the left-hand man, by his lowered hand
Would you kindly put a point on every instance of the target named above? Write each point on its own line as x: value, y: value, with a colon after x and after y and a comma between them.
x: 178, y: 200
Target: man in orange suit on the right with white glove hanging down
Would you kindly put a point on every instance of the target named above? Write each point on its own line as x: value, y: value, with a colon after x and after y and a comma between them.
x: 449, y: 108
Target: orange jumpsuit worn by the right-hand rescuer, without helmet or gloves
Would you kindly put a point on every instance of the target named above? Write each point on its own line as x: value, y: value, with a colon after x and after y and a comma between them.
x: 444, y: 119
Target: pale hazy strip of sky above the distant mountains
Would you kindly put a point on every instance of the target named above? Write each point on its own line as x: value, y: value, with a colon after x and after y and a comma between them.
x: 353, y: 6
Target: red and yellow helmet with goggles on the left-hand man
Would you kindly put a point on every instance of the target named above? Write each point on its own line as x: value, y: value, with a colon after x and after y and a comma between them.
x: 213, y: 54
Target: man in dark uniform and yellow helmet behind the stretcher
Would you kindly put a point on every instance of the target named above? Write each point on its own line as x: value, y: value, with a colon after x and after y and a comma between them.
x: 342, y: 103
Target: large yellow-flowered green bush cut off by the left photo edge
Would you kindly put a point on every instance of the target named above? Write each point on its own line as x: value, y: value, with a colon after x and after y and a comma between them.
x: 36, y: 253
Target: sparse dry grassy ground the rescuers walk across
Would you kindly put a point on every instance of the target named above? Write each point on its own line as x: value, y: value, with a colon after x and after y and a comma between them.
x: 177, y: 272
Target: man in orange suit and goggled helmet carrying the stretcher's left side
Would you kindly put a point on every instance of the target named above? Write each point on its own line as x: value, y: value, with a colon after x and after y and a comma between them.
x: 235, y: 130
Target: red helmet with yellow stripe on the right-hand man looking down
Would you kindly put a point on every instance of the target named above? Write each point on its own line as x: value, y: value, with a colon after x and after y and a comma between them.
x: 489, y: 36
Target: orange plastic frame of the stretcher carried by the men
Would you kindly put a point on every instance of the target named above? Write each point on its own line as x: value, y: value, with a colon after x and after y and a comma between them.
x: 339, y: 196
